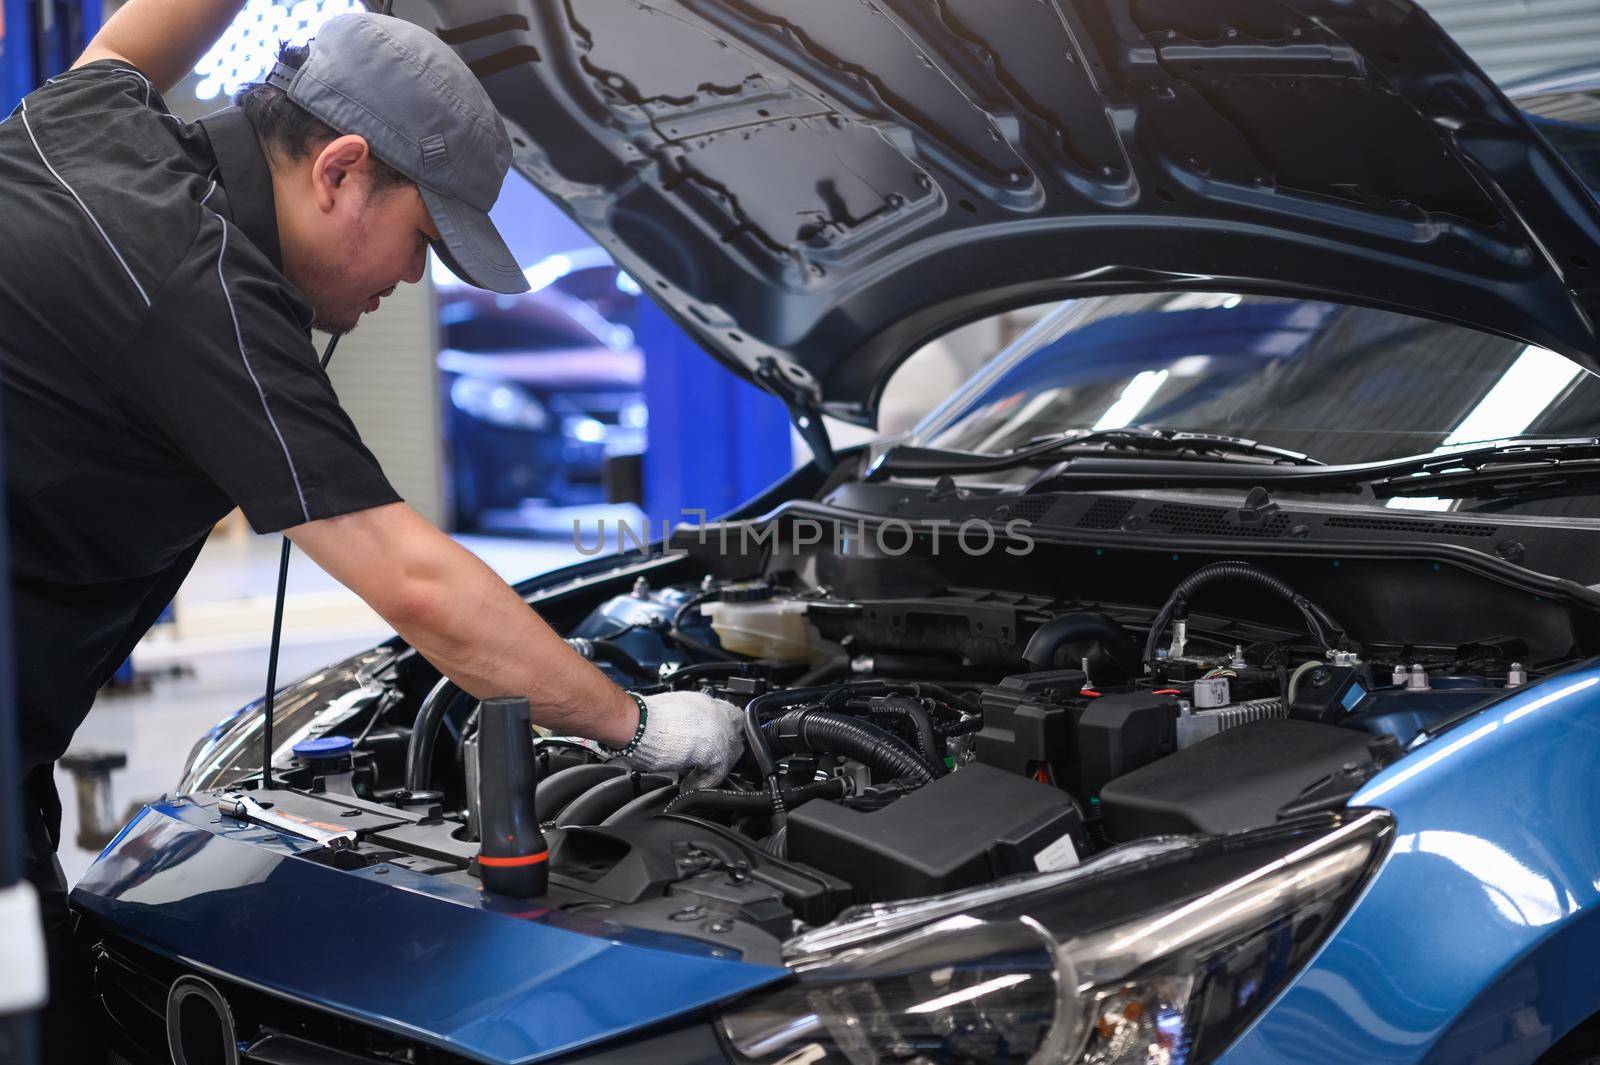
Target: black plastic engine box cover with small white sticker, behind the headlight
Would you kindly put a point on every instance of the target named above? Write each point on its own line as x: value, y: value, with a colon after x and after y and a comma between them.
x: 966, y: 829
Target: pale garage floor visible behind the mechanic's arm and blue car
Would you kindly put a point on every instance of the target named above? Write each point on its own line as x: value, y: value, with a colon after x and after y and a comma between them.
x: 225, y: 621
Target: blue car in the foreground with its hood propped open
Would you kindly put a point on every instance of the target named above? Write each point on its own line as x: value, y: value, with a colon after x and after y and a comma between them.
x: 1215, y: 677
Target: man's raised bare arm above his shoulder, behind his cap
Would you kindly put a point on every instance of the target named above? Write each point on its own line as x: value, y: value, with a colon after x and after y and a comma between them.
x: 166, y: 39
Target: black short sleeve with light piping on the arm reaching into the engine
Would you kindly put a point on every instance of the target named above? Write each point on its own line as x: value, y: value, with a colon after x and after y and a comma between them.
x: 226, y: 372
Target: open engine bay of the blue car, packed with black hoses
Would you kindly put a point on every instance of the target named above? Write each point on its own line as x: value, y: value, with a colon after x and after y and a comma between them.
x: 926, y: 722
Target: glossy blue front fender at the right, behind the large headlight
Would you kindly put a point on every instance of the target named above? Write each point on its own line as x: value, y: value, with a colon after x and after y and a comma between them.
x: 1481, y: 931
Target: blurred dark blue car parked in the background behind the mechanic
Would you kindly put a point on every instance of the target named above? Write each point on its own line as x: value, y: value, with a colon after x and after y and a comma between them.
x: 538, y: 391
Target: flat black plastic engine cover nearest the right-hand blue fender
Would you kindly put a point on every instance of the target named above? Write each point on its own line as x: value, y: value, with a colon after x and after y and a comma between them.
x: 1233, y: 781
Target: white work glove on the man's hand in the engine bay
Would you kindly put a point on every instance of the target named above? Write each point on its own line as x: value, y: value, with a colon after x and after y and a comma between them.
x: 690, y: 733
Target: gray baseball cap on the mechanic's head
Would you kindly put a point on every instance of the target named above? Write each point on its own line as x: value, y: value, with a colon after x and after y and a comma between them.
x: 423, y: 113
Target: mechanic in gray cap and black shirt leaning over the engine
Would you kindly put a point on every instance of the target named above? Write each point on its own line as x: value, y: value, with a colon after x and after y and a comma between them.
x: 158, y: 369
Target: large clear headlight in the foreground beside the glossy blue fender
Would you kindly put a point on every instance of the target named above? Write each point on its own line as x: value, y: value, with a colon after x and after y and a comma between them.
x: 1156, y: 954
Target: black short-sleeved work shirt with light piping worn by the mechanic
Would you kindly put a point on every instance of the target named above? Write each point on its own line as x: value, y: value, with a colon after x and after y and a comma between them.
x: 158, y: 370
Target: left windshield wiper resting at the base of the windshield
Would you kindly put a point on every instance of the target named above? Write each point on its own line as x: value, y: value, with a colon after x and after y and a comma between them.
x: 1130, y: 442
